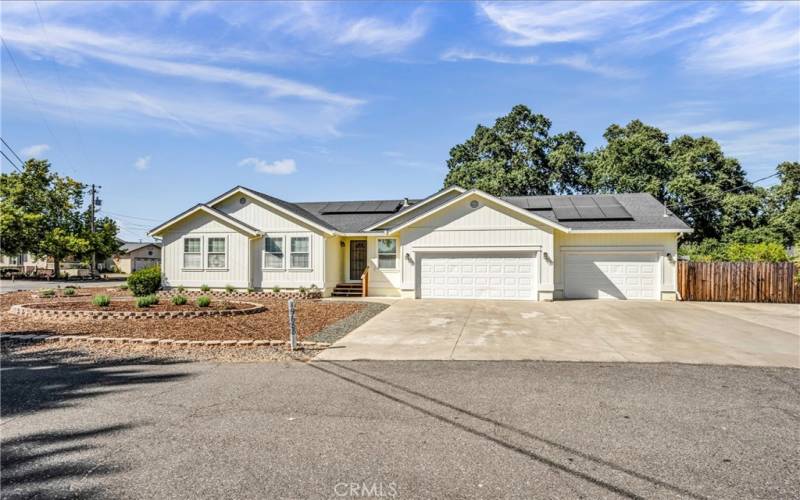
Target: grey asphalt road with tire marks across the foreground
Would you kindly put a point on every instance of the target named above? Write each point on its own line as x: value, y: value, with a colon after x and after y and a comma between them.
x: 420, y: 429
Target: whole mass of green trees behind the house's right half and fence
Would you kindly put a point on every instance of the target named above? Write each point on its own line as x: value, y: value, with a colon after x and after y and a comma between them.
x: 691, y: 175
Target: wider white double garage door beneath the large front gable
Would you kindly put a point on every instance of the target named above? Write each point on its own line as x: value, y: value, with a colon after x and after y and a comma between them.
x: 480, y: 276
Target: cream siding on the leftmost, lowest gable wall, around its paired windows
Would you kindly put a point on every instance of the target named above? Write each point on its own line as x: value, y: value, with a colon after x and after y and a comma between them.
x: 204, y: 227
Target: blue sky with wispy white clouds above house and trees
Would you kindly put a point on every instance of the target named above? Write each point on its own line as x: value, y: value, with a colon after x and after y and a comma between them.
x: 168, y: 104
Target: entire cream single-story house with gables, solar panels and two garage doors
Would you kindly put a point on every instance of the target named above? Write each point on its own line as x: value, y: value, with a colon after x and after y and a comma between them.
x: 453, y: 244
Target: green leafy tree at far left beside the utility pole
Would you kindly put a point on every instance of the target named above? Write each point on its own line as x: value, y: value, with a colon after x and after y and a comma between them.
x: 41, y: 213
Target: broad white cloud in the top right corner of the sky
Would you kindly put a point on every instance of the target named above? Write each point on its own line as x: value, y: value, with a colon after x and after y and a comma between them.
x: 768, y: 39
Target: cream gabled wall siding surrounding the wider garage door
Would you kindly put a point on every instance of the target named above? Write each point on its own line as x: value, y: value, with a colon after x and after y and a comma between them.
x: 489, y: 227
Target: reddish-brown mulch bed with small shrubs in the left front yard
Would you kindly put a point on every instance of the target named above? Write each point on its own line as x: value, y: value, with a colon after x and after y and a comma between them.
x: 312, y: 316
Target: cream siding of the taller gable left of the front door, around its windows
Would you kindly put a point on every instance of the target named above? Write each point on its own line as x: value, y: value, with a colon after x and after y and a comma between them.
x: 276, y: 224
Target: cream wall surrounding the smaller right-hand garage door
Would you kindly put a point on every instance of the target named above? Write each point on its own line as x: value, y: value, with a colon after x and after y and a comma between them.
x: 659, y: 243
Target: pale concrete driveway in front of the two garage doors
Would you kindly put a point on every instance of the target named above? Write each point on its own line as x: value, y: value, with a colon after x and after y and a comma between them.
x: 639, y: 331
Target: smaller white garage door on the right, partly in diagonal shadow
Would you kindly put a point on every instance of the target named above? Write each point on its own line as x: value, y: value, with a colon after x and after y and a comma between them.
x: 611, y: 276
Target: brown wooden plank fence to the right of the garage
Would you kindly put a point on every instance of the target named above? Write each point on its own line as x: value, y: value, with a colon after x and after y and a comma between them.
x: 738, y: 281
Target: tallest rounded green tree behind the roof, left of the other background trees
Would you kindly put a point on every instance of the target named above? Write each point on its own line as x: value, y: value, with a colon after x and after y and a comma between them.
x: 518, y: 156
